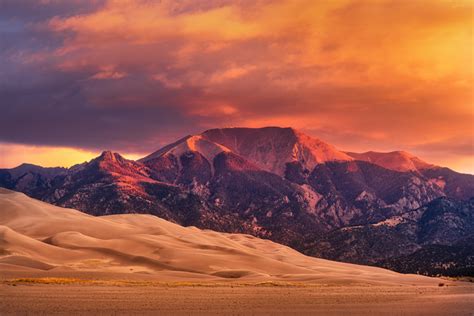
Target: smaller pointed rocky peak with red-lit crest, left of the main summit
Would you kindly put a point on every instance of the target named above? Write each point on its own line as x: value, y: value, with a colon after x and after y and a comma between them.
x: 111, y: 184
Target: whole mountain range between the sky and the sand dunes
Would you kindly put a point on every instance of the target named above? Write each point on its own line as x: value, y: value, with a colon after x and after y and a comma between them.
x: 387, y: 209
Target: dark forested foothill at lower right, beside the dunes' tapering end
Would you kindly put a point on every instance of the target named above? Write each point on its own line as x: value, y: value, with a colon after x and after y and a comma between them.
x: 443, y: 227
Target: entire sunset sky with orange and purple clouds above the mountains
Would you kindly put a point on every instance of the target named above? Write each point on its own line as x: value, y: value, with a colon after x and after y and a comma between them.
x: 78, y: 77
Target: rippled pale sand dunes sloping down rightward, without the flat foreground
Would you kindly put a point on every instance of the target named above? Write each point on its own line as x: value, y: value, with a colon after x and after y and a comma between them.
x: 36, y: 236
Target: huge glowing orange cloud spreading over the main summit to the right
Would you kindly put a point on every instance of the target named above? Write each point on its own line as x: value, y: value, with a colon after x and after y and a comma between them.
x: 365, y: 74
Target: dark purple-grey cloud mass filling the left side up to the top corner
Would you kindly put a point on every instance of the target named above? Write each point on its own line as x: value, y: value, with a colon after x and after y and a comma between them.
x: 44, y: 105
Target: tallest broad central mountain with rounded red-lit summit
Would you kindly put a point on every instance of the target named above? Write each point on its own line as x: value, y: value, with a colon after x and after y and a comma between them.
x: 324, y: 181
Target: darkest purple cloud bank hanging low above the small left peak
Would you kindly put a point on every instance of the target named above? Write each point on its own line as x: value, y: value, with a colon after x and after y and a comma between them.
x: 68, y: 110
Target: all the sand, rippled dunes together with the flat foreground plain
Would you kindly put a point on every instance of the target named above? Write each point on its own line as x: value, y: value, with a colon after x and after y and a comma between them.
x: 48, y: 248
